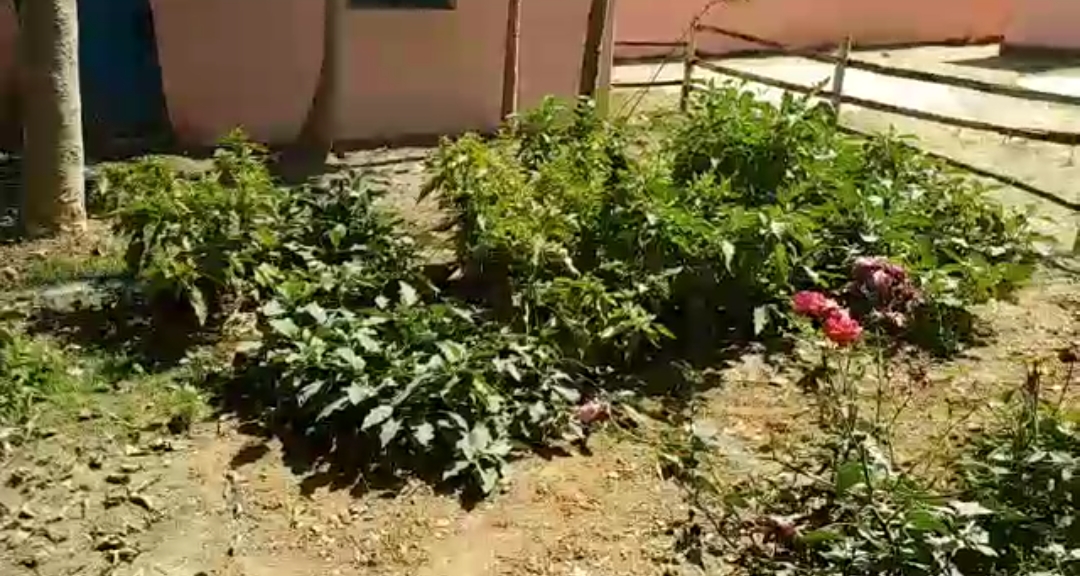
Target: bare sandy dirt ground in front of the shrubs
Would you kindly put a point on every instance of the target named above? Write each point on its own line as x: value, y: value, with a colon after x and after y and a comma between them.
x: 225, y: 500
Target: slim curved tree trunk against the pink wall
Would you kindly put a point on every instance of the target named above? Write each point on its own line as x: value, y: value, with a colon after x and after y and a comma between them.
x: 320, y: 128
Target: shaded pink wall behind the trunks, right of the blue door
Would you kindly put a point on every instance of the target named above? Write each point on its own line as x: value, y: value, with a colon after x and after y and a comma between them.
x: 255, y: 63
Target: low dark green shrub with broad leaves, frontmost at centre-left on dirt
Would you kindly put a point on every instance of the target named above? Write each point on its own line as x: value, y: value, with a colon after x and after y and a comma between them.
x: 425, y: 384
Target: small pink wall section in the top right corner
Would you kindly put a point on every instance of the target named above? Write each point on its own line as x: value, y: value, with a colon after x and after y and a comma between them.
x: 1045, y: 24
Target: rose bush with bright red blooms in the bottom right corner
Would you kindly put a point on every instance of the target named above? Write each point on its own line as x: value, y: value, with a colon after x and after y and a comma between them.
x: 843, y: 505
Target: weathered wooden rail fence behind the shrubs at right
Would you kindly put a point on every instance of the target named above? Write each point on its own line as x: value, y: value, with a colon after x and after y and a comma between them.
x: 842, y: 60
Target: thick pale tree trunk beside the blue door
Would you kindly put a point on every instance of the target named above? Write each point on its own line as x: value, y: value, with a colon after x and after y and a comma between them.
x: 52, y: 112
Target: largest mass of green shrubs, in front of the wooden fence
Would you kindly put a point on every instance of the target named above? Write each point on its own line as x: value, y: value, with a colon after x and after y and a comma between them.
x: 707, y: 235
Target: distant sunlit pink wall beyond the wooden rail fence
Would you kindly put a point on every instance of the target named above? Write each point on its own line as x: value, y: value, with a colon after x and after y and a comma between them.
x: 808, y: 23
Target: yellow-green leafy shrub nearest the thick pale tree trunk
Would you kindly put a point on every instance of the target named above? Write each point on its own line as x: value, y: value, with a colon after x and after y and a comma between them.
x: 192, y: 239
